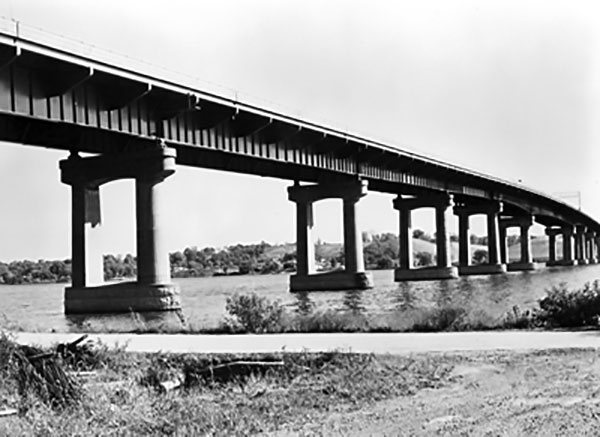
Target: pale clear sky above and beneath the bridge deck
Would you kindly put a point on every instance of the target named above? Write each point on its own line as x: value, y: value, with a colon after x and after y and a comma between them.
x: 508, y: 88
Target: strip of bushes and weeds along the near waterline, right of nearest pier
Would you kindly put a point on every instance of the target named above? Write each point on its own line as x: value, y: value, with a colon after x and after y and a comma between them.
x: 560, y: 308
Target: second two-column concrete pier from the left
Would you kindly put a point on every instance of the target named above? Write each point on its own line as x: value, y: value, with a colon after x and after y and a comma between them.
x: 353, y: 276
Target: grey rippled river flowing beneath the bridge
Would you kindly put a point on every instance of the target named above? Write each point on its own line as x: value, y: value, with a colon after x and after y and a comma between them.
x: 39, y: 307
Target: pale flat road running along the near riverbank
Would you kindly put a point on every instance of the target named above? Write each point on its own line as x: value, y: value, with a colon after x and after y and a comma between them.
x: 378, y: 343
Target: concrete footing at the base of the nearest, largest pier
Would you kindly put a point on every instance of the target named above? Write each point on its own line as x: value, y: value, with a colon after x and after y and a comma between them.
x: 121, y: 298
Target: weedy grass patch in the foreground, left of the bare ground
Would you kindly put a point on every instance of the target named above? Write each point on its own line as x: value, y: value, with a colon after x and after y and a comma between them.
x: 122, y: 400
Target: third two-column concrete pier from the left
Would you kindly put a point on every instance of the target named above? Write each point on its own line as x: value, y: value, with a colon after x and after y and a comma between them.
x: 443, y: 211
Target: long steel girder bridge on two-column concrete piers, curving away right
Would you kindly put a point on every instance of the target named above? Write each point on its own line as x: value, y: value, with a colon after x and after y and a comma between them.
x: 140, y: 126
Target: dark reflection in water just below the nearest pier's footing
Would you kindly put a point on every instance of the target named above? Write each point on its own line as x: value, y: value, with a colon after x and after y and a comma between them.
x: 155, y: 321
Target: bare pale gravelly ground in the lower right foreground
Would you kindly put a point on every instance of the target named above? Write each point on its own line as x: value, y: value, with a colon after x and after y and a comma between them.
x: 551, y: 393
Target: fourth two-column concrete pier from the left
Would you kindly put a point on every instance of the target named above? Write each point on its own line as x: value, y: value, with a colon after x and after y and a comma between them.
x: 495, y: 241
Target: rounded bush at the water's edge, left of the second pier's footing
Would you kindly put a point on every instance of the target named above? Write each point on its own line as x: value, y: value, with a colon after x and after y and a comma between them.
x: 255, y: 314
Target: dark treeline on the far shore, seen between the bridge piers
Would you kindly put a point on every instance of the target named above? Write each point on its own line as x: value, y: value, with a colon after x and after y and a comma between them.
x: 380, y: 252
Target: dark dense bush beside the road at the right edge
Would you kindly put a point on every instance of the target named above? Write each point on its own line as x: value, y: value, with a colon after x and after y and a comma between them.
x: 565, y: 308
